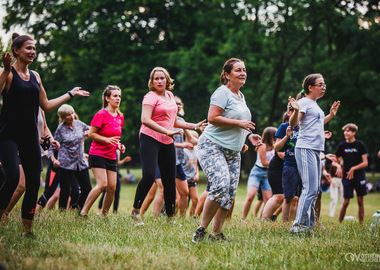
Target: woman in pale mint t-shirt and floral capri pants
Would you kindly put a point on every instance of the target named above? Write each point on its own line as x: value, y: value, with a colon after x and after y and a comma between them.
x: 220, y: 145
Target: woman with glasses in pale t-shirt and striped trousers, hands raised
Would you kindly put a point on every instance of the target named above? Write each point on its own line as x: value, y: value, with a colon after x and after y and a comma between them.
x: 310, y: 142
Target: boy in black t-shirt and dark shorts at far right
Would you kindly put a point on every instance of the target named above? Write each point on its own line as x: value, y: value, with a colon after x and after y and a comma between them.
x: 354, y: 156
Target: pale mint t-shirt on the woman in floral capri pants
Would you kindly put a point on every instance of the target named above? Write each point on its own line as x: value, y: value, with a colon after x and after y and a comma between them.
x: 232, y: 138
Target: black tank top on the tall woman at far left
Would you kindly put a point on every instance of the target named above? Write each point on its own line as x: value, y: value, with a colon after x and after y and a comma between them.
x: 18, y: 119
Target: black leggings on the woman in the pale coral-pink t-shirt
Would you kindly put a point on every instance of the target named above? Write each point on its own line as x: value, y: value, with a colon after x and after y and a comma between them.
x: 153, y: 153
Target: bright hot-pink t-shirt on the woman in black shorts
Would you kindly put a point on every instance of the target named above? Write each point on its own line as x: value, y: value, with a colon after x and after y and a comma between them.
x: 109, y: 126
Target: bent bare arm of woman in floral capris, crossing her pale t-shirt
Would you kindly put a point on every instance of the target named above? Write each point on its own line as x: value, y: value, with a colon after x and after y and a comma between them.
x: 215, y: 117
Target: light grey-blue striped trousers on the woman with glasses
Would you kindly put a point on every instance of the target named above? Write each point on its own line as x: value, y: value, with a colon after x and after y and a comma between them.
x: 309, y: 168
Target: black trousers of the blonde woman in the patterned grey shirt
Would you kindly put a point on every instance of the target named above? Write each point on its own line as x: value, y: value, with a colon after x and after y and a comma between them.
x: 69, y: 181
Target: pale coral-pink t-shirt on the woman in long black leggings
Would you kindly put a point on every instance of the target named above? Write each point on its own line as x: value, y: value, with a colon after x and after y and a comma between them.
x: 164, y: 113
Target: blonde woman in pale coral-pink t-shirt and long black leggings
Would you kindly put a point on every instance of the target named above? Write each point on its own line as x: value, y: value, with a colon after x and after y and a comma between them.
x: 158, y: 117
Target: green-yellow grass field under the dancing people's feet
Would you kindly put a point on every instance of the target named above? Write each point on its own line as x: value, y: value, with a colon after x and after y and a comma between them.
x: 65, y: 241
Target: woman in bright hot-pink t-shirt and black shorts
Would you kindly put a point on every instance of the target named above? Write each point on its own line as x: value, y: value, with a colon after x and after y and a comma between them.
x: 105, y: 131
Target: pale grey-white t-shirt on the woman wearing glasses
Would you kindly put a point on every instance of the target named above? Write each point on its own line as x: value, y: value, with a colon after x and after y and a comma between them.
x: 311, y: 134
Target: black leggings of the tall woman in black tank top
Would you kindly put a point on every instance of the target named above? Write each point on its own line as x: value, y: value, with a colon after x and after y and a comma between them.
x: 30, y: 156
